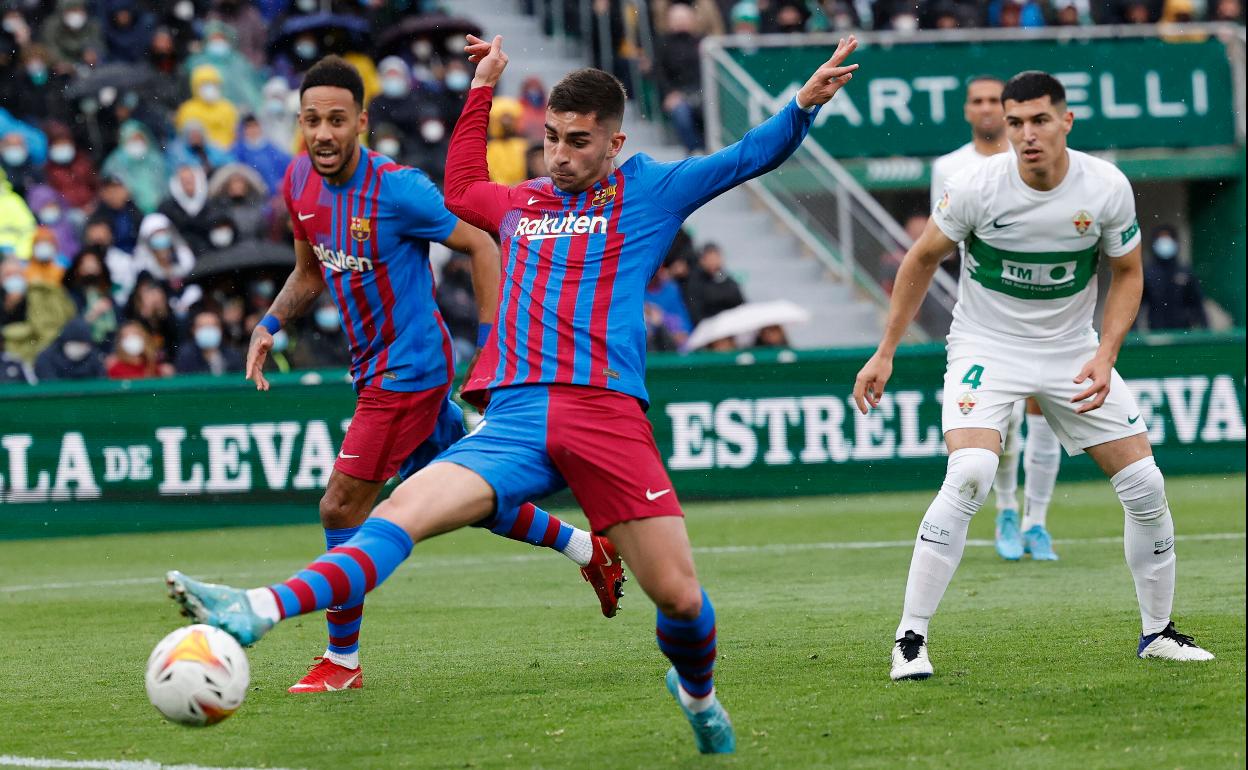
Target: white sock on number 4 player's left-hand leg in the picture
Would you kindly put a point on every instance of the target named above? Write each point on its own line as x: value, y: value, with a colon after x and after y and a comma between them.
x: 943, y: 535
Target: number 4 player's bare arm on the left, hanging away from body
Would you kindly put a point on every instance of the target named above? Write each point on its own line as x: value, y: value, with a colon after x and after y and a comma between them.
x: 909, y: 289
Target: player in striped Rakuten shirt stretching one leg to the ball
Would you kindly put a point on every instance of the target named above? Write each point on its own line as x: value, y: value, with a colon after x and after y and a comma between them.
x: 565, y: 366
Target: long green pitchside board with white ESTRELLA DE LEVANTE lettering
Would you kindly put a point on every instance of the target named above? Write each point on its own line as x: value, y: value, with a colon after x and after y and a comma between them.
x: 200, y: 452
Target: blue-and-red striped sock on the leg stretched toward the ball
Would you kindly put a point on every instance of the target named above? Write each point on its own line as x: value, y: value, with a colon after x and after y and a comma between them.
x: 348, y: 572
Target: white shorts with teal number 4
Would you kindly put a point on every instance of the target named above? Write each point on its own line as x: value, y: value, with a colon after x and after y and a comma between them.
x: 987, y: 378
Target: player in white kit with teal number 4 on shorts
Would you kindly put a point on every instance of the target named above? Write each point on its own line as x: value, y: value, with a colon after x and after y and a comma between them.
x: 1035, y: 225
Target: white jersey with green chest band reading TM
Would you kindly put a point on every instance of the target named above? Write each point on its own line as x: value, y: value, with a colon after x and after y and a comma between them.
x: 1031, y: 258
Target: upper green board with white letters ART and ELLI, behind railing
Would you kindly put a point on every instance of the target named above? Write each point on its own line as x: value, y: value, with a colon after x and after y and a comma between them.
x: 907, y: 99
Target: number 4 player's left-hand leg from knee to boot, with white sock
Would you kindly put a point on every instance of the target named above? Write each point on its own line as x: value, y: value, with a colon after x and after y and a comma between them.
x: 973, y: 464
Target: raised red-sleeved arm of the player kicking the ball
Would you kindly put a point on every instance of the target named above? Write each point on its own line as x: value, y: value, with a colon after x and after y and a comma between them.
x: 470, y: 194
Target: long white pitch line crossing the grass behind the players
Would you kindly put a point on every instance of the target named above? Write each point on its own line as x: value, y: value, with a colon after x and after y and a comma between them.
x: 537, y: 557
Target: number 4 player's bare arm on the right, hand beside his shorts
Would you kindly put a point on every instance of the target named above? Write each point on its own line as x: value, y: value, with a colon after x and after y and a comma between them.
x: 1121, y: 305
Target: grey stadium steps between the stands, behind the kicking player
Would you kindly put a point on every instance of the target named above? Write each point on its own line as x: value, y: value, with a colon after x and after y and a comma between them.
x: 766, y: 258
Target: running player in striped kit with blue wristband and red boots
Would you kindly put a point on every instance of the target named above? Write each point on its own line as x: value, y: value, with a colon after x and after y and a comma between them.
x: 363, y: 230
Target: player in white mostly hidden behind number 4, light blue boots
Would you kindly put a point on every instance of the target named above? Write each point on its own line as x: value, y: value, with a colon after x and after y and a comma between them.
x: 1041, y: 452
